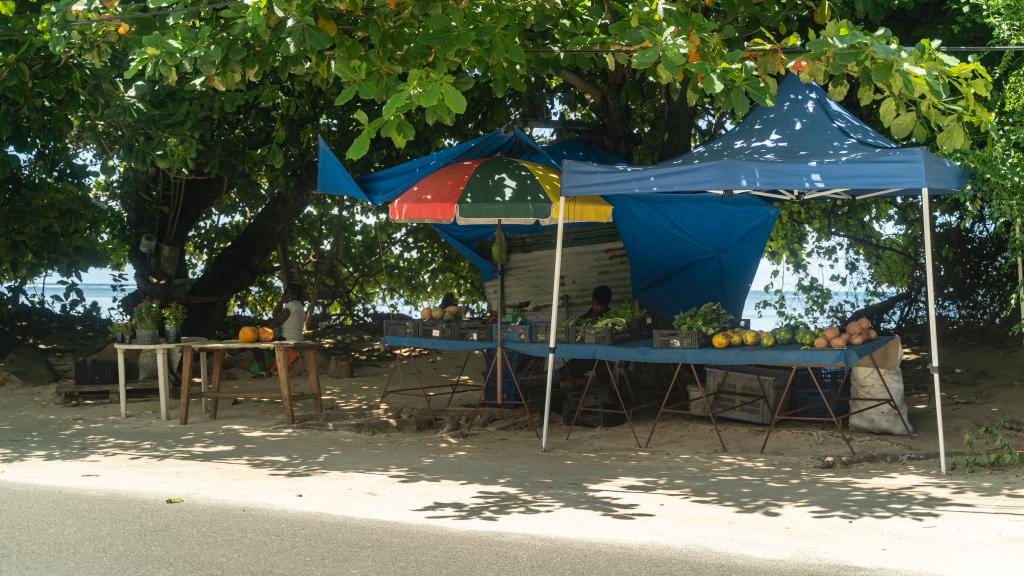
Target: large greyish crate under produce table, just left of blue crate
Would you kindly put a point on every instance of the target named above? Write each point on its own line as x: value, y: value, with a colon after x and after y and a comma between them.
x: 735, y: 389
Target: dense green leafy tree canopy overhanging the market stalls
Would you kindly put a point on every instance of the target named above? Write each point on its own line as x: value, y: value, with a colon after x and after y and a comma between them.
x: 198, y: 122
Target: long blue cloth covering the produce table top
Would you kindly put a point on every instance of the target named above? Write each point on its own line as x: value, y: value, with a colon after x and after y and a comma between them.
x: 645, y: 352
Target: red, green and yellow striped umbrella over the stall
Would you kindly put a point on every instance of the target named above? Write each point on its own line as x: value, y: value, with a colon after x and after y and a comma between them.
x: 488, y: 190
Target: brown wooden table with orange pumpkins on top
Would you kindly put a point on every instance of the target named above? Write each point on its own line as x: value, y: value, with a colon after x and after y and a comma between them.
x: 281, y: 348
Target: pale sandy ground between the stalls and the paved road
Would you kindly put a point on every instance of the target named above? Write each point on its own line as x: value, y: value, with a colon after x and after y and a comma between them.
x: 596, y: 485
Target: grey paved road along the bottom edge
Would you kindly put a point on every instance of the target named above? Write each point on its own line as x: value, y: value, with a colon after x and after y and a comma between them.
x: 54, y: 531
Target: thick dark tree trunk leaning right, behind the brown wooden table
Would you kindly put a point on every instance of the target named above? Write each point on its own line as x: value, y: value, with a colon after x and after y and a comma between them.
x: 239, y: 266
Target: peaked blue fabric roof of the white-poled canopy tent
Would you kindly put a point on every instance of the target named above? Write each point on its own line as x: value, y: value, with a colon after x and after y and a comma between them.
x: 805, y: 143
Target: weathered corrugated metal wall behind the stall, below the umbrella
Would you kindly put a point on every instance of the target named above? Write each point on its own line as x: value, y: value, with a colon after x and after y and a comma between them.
x: 529, y: 277
